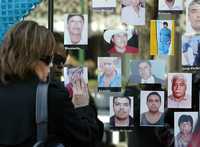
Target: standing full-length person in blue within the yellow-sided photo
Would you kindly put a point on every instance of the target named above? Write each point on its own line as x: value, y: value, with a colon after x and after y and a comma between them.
x: 164, y: 37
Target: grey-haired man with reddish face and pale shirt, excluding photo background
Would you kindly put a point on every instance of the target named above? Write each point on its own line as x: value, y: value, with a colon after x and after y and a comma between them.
x: 179, y: 98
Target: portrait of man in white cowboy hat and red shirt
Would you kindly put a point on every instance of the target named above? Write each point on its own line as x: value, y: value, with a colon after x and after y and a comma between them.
x: 121, y: 41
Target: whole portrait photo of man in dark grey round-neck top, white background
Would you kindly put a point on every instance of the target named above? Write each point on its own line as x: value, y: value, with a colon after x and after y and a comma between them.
x: 153, y: 115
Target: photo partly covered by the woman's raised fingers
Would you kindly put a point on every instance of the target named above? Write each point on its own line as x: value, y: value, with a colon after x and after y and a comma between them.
x: 72, y: 74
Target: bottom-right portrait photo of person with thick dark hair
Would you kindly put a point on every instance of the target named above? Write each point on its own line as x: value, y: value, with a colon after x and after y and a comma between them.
x: 184, y: 123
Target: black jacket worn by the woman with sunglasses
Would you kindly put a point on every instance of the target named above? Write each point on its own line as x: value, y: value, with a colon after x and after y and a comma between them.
x: 75, y: 127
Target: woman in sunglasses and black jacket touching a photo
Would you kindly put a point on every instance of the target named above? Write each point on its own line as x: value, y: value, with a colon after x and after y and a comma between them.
x: 26, y: 57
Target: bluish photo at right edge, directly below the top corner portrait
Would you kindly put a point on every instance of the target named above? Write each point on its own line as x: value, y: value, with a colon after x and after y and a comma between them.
x: 191, y: 50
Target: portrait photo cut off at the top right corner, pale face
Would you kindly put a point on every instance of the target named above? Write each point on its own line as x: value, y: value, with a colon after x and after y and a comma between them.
x: 192, y: 16
